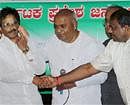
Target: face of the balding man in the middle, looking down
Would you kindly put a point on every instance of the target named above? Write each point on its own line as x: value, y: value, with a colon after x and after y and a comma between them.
x: 64, y: 28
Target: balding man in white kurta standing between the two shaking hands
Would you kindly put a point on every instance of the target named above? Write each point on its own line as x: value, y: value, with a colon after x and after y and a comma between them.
x: 66, y: 50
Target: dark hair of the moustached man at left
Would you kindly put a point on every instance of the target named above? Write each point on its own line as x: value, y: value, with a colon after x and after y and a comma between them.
x: 9, y: 11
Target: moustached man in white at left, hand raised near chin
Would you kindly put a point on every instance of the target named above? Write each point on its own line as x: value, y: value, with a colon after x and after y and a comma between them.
x: 18, y: 62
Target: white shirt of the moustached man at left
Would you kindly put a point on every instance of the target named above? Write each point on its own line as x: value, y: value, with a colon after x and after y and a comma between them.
x: 16, y: 73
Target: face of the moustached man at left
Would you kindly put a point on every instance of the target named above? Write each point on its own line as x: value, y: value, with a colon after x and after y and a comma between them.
x: 10, y: 26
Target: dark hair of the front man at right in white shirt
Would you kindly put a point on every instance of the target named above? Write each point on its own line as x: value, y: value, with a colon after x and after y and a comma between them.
x: 122, y: 16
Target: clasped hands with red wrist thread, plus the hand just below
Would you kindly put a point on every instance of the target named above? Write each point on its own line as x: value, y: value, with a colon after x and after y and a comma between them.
x: 51, y: 82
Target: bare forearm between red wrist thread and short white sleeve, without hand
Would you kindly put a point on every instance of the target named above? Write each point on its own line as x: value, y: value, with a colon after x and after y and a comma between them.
x: 81, y: 72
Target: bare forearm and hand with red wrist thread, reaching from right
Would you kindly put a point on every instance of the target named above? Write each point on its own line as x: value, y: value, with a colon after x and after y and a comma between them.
x: 81, y: 72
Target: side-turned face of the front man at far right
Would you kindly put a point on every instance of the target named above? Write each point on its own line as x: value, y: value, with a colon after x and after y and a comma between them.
x: 118, y: 33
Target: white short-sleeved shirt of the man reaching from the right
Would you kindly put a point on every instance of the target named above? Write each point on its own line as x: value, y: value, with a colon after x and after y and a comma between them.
x: 117, y: 55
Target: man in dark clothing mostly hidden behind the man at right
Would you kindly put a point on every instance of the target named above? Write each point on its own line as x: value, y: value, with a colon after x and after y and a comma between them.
x: 110, y: 90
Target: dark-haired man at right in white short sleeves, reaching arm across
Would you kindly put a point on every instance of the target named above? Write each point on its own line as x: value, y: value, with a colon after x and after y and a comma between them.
x: 116, y: 55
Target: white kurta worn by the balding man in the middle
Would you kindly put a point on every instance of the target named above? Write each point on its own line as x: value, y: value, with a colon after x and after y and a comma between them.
x: 68, y: 56
